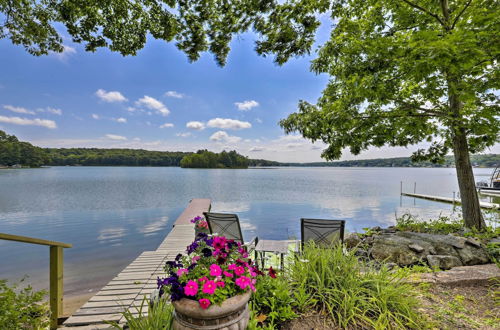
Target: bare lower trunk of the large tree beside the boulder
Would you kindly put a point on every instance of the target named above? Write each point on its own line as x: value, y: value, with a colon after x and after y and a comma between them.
x: 471, y: 210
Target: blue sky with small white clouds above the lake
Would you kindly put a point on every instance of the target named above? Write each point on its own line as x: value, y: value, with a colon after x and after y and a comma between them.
x: 157, y: 100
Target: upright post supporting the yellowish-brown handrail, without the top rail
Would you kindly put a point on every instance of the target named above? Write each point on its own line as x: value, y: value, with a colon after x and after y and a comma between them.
x: 56, y: 285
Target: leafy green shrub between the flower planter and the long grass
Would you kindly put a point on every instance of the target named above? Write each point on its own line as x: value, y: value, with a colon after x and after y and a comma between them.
x: 273, y: 301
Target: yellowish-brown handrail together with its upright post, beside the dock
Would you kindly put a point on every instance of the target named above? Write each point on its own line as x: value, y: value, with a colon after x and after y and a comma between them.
x: 56, y: 272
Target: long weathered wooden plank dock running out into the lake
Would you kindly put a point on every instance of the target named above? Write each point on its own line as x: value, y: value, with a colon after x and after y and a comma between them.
x: 128, y: 289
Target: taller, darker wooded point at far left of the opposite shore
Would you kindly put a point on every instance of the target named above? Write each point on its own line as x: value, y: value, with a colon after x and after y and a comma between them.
x: 14, y: 152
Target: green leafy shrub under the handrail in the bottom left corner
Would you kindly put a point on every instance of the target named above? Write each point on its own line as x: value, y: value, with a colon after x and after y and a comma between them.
x: 22, y: 308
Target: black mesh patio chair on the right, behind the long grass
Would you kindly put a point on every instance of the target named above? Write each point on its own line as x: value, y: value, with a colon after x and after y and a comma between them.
x: 323, y: 232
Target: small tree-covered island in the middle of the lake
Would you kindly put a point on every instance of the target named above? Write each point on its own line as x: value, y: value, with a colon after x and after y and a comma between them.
x: 208, y: 159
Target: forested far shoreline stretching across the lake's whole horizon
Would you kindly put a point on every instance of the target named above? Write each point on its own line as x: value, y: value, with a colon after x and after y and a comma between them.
x: 14, y: 152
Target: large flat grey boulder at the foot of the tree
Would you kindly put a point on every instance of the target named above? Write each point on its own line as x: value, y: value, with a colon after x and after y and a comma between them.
x: 407, y: 248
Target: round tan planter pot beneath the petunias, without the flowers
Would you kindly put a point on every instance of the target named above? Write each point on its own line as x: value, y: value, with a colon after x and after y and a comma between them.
x: 232, y: 314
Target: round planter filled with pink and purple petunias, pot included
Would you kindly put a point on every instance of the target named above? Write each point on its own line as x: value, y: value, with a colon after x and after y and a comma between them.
x: 211, y: 285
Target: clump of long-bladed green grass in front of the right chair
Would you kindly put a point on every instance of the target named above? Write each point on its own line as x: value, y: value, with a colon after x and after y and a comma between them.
x: 354, y: 294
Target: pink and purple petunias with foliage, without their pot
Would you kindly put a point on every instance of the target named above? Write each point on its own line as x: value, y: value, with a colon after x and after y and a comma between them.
x: 214, y: 269
